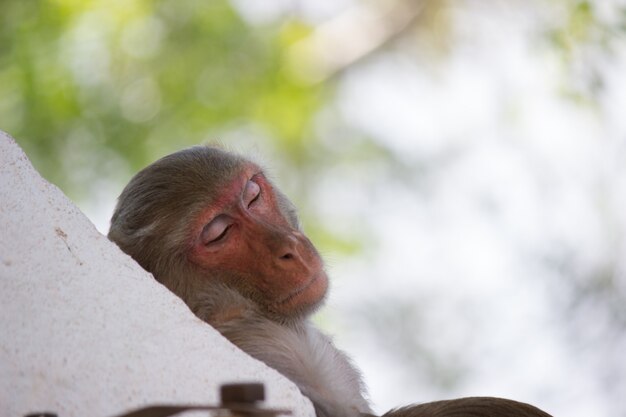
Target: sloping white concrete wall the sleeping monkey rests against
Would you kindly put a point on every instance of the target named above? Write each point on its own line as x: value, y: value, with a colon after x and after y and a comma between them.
x: 84, y: 331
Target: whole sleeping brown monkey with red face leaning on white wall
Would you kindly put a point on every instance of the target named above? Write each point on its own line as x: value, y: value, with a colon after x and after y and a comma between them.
x: 214, y: 229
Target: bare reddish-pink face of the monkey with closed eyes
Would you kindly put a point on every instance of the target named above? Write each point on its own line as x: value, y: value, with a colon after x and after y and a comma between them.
x: 245, y: 233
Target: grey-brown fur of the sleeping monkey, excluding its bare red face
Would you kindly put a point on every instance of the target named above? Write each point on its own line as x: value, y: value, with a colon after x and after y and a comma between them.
x: 154, y: 221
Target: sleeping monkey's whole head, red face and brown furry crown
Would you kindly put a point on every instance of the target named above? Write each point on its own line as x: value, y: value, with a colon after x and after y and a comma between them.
x: 207, y: 221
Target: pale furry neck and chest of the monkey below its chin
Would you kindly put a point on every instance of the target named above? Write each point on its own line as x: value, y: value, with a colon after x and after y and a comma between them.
x: 296, y: 349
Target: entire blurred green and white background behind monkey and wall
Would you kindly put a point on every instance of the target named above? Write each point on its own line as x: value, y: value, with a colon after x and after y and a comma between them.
x: 460, y: 164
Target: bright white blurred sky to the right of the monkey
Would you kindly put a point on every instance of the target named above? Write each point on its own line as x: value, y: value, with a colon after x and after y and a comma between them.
x: 516, y: 172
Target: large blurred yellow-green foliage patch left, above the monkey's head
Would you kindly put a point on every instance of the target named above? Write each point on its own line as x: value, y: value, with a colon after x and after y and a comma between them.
x: 104, y: 87
